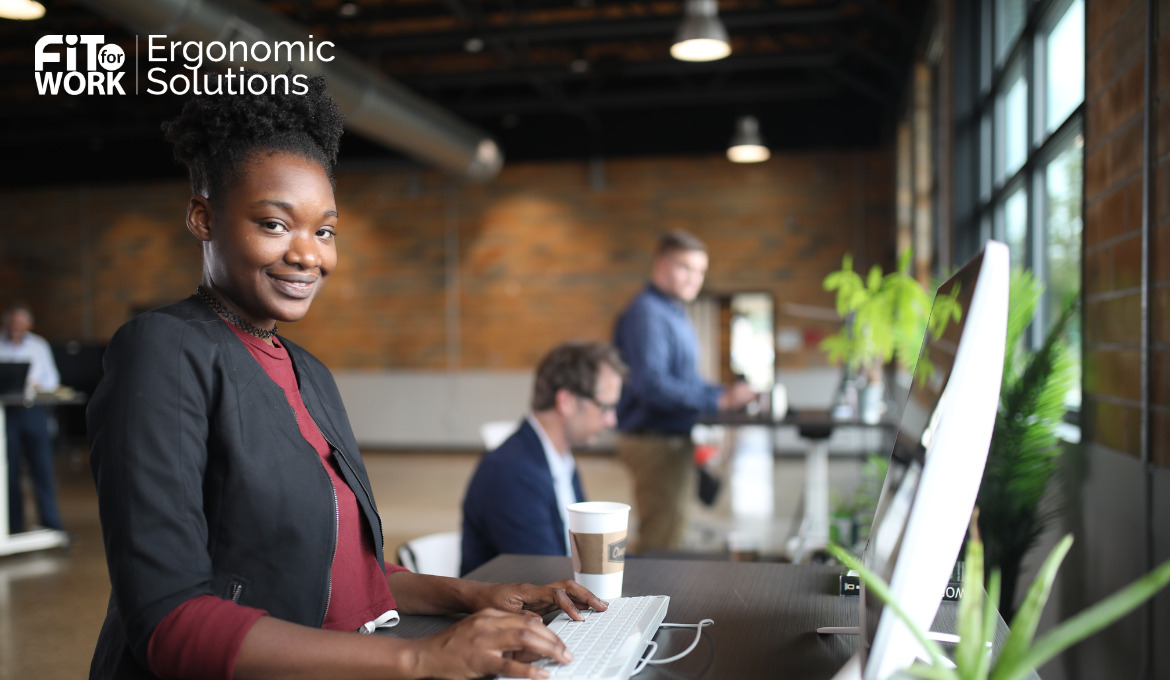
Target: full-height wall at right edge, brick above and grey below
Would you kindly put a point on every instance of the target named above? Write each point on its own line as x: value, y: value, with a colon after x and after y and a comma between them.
x: 1117, y: 496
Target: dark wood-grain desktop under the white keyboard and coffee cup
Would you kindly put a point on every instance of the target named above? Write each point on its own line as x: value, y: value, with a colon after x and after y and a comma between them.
x: 766, y: 615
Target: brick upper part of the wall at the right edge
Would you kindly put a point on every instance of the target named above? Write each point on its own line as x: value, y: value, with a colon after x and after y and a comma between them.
x: 1116, y: 100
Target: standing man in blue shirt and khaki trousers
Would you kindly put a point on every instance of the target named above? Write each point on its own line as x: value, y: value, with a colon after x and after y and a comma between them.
x: 664, y: 393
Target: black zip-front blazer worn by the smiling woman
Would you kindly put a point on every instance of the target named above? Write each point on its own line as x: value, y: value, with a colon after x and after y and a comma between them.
x: 207, y: 485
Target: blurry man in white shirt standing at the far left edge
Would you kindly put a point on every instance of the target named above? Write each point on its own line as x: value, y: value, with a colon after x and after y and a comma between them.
x: 29, y: 428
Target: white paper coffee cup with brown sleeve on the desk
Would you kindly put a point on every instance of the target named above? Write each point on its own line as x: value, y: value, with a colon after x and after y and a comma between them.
x: 597, y: 537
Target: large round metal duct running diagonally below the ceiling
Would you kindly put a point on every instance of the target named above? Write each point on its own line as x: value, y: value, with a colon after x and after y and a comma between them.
x: 374, y: 106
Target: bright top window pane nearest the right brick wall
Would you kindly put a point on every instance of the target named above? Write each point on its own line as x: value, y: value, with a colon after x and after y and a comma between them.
x: 1065, y: 57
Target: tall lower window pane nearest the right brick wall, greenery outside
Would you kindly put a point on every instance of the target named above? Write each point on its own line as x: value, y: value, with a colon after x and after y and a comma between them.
x: 1064, y: 182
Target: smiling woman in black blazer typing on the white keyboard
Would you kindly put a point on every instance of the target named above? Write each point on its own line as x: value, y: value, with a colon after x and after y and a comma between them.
x: 237, y: 512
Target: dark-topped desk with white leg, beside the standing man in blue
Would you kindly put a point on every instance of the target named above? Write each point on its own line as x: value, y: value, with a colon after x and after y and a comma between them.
x: 815, y: 429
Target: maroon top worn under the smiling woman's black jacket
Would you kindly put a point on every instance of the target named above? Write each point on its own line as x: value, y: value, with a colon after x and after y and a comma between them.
x: 202, y: 637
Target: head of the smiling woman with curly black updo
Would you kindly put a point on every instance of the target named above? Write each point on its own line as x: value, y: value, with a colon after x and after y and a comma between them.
x: 269, y: 244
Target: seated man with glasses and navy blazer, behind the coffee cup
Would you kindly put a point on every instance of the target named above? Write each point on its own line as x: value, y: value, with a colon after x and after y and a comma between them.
x: 519, y: 497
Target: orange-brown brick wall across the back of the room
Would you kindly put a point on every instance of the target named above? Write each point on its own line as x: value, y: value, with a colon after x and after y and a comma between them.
x: 439, y: 276
